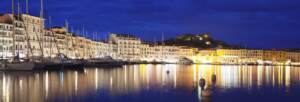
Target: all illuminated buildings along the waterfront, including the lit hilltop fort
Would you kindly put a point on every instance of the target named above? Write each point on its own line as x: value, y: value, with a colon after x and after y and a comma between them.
x: 32, y: 40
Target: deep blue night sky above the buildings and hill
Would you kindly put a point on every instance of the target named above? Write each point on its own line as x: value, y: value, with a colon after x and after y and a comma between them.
x: 251, y: 23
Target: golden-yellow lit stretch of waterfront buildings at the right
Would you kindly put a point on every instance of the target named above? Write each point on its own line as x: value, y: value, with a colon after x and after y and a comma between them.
x: 245, y: 56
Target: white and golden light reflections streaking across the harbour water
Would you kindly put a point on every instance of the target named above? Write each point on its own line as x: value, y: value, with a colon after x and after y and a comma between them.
x: 133, y: 79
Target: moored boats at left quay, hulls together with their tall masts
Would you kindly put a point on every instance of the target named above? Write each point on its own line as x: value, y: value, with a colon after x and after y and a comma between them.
x: 41, y: 63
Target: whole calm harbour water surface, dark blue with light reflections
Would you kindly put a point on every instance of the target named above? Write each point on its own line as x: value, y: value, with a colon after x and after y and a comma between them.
x: 154, y: 83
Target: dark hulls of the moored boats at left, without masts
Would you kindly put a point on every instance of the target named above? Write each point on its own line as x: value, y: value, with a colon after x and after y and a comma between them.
x: 56, y: 64
